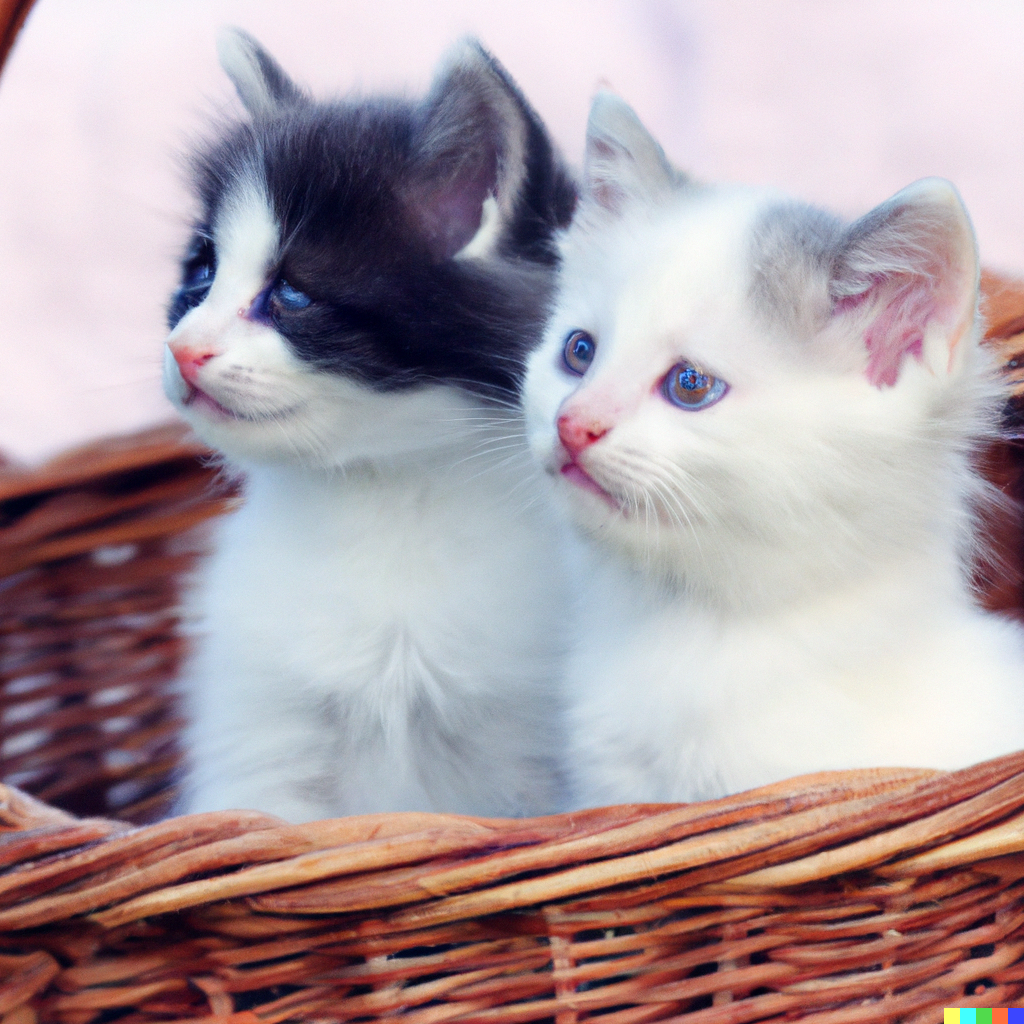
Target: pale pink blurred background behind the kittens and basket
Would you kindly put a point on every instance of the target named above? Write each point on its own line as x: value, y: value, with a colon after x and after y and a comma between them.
x: 841, y: 103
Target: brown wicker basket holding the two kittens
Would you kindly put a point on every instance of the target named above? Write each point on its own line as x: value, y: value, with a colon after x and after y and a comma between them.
x: 869, y: 897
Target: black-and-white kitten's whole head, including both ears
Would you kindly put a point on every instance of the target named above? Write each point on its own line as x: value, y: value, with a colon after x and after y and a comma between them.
x: 363, y: 273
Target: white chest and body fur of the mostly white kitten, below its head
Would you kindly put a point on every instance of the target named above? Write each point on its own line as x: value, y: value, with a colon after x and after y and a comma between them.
x: 870, y: 675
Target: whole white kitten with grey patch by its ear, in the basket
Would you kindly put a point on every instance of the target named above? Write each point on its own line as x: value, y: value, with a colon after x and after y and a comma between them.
x: 763, y: 420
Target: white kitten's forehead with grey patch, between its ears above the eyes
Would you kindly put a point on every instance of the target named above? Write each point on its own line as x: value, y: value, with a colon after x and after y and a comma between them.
x: 712, y: 276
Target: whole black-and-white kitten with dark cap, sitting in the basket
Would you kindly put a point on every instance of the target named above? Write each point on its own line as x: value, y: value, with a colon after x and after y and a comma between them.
x: 382, y: 617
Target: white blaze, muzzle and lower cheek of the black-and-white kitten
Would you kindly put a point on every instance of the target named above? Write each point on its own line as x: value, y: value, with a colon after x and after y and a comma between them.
x: 240, y: 381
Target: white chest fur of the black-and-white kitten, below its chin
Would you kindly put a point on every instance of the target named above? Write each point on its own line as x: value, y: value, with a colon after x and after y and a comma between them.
x: 381, y: 643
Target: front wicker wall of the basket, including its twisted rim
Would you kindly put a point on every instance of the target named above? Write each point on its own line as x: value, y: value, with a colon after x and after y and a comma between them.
x: 809, y: 900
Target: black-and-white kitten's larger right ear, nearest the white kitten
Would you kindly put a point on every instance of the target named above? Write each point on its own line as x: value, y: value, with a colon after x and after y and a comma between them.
x: 472, y: 143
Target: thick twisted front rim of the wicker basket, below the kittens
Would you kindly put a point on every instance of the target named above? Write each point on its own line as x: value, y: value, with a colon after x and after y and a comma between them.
x: 790, y: 834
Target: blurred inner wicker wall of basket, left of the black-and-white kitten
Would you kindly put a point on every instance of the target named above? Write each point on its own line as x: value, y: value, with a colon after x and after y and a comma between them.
x: 94, y: 548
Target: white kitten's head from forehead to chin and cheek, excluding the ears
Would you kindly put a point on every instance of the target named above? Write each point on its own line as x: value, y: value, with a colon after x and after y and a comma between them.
x: 696, y: 419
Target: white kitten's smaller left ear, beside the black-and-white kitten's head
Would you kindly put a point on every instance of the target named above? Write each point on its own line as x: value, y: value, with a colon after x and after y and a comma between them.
x: 623, y: 160
